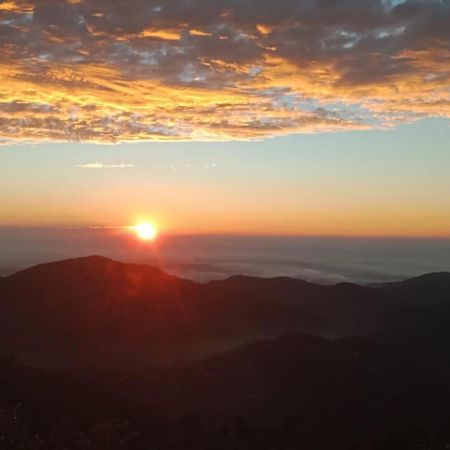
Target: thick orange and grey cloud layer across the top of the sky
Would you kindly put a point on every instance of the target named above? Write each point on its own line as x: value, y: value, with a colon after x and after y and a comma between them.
x: 113, y: 71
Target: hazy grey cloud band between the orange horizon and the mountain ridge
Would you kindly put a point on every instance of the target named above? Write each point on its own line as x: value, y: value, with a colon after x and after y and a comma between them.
x: 203, y: 258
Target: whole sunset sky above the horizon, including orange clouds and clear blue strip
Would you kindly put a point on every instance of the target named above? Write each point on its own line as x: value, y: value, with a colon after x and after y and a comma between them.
x: 308, y: 117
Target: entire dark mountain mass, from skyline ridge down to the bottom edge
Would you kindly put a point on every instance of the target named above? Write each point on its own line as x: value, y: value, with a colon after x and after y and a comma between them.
x: 130, y: 357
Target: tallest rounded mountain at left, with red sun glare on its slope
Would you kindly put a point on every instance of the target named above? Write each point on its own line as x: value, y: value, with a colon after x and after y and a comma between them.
x: 95, y: 310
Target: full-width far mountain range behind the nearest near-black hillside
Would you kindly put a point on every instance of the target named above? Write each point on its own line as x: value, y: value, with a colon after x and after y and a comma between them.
x: 95, y: 312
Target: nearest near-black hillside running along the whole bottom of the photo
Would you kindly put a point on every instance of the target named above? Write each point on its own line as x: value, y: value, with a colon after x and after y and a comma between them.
x: 297, y: 391
